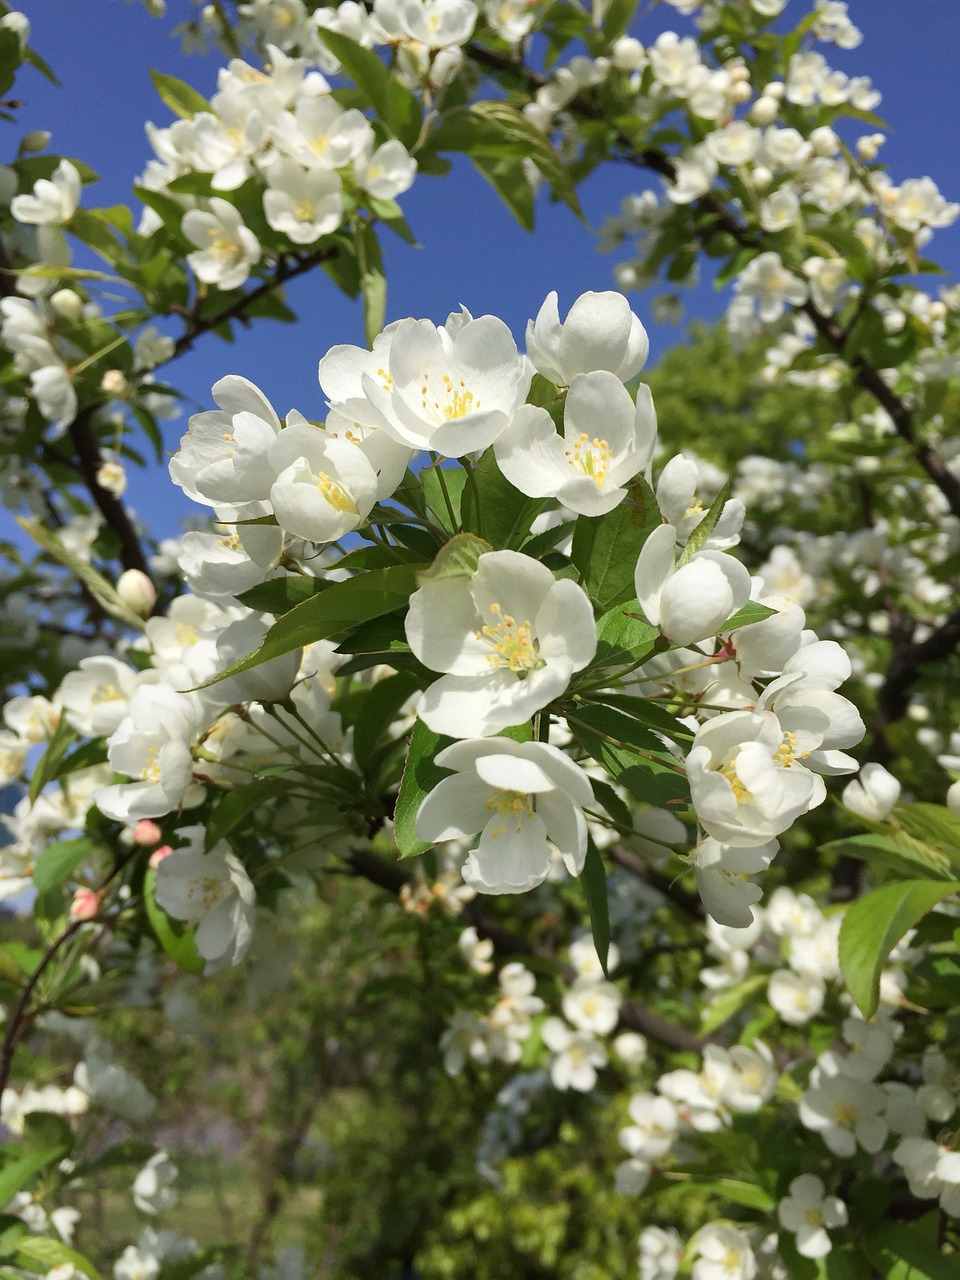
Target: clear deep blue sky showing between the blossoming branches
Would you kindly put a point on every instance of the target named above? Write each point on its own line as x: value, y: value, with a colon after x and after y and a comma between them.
x: 473, y: 252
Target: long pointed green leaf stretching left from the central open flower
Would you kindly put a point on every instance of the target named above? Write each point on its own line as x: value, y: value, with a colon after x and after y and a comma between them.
x: 337, y: 609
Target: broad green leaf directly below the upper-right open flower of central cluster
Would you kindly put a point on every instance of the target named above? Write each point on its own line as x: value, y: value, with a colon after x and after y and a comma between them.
x: 606, y: 551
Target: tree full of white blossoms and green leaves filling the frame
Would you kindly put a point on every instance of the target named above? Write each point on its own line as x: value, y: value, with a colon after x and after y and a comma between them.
x: 574, y: 785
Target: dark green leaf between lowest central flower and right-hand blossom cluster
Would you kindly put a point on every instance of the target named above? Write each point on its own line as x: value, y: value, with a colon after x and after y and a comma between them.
x: 634, y: 756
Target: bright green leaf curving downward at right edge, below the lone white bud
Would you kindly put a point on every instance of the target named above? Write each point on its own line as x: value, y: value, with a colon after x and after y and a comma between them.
x: 875, y: 925
